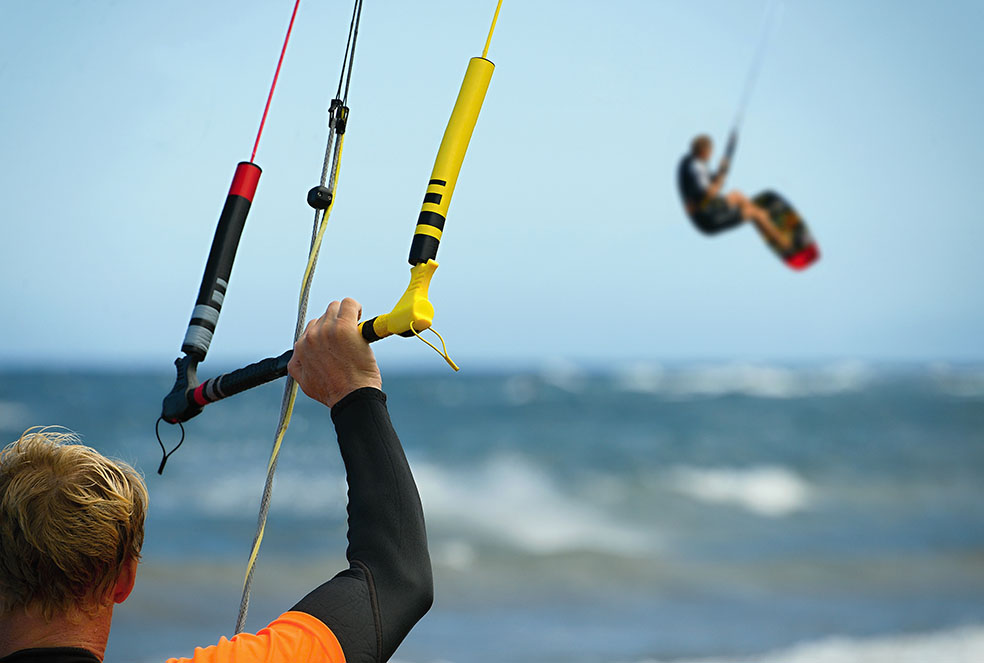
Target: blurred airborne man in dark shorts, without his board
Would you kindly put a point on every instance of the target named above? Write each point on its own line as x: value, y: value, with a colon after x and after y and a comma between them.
x: 711, y: 210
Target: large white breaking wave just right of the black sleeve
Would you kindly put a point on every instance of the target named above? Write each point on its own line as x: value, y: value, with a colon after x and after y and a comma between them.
x: 513, y: 503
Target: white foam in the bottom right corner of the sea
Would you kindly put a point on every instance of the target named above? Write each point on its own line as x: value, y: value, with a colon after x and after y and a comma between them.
x: 958, y: 645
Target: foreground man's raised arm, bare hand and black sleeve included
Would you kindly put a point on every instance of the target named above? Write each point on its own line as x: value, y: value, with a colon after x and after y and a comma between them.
x: 388, y: 587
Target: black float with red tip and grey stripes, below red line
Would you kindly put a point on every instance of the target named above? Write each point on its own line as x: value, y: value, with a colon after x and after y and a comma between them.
x: 218, y: 269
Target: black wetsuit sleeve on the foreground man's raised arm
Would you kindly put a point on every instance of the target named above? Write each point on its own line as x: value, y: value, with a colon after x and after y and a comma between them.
x: 388, y: 587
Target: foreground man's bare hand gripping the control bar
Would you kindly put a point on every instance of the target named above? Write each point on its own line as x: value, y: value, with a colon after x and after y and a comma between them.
x: 331, y: 359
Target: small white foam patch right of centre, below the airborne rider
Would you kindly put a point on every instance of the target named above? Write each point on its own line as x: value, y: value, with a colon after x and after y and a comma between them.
x: 765, y: 490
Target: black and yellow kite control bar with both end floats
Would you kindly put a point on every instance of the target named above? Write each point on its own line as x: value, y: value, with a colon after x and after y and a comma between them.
x: 413, y: 312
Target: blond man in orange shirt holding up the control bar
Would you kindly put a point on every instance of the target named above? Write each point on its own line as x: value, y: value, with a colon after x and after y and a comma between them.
x: 72, y: 525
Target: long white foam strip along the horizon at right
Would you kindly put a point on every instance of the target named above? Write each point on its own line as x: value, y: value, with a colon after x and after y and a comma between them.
x: 759, y: 380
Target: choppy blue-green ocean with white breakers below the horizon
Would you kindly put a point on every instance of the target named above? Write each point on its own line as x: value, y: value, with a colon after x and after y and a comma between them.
x: 692, y: 512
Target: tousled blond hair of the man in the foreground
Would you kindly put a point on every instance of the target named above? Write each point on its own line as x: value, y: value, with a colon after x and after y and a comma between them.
x: 70, y: 519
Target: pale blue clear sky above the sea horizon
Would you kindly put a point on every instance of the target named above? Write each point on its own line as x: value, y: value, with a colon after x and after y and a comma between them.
x: 121, y: 124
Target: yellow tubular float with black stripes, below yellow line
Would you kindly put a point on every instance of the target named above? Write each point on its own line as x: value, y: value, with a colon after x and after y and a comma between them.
x: 451, y: 154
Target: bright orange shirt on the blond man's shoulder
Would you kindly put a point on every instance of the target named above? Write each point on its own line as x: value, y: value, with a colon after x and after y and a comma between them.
x: 293, y: 636
